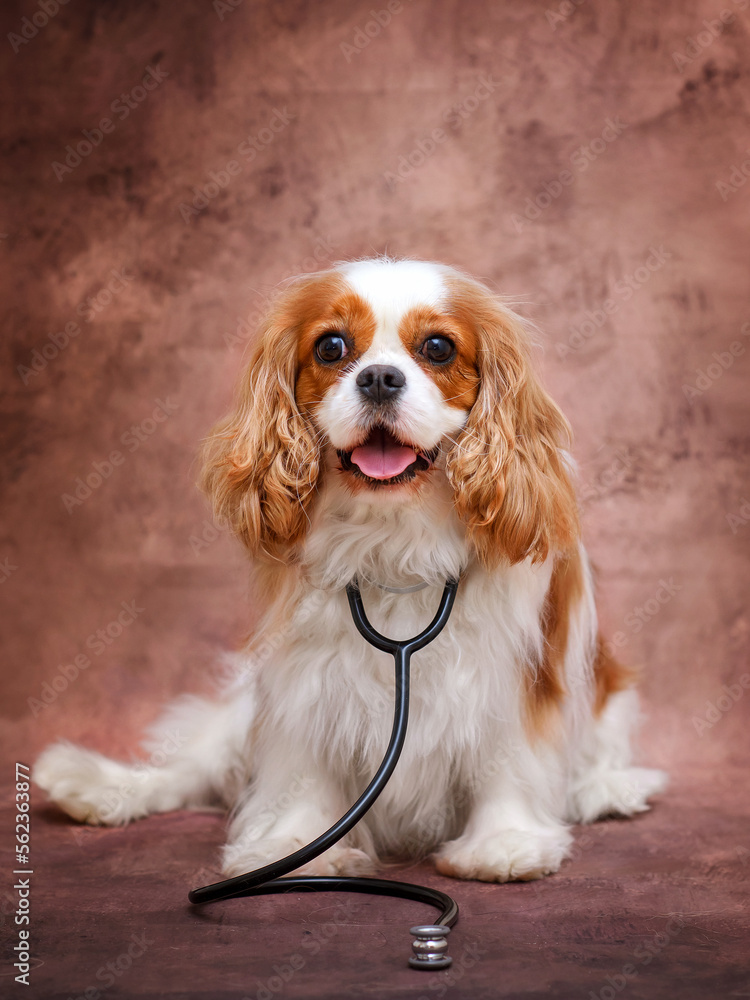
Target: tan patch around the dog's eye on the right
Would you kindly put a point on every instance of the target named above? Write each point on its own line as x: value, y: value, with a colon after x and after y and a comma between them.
x: 458, y: 380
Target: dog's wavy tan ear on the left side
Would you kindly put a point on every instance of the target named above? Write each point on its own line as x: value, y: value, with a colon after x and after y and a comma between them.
x: 262, y: 462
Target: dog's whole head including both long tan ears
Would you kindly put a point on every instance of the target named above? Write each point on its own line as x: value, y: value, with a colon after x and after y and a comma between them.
x: 387, y: 374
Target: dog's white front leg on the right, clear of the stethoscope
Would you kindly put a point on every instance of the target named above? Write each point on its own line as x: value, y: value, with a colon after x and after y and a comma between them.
x: 513, y: 830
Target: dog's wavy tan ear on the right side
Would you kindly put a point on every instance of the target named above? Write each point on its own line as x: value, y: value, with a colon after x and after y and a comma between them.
x: 509, y: 474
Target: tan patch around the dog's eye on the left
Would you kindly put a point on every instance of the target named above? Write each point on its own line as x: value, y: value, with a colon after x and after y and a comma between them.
x: 333, y: 309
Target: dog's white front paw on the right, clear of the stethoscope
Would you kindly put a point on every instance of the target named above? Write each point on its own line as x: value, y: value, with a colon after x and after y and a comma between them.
x: 505, y: 856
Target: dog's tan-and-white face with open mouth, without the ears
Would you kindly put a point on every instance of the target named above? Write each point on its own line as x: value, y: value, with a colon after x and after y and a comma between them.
x: 386, y: 374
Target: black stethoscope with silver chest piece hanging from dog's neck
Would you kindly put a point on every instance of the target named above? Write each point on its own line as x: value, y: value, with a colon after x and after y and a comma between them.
x: 430, y: 943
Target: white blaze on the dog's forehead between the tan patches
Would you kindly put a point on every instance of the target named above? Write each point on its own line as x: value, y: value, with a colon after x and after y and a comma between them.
x: 391, y: 289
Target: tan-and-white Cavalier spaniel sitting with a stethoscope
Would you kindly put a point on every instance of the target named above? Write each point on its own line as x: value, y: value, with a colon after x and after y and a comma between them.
x: 390, y: 429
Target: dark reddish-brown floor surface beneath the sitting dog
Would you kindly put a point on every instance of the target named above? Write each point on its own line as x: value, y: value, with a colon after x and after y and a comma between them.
x: 653, y: 907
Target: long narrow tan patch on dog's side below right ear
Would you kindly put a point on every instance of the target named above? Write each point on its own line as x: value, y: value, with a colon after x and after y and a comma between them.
x: 545, y: 691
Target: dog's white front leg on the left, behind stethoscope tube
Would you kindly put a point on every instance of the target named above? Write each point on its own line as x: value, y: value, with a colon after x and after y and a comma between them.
x: 291, y: 802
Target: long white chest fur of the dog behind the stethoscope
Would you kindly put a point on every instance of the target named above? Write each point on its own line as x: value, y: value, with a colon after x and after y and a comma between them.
x: 466, y: 689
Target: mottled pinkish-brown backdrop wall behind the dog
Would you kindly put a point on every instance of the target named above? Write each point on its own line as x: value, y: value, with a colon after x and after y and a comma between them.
x: 166, y: 165
